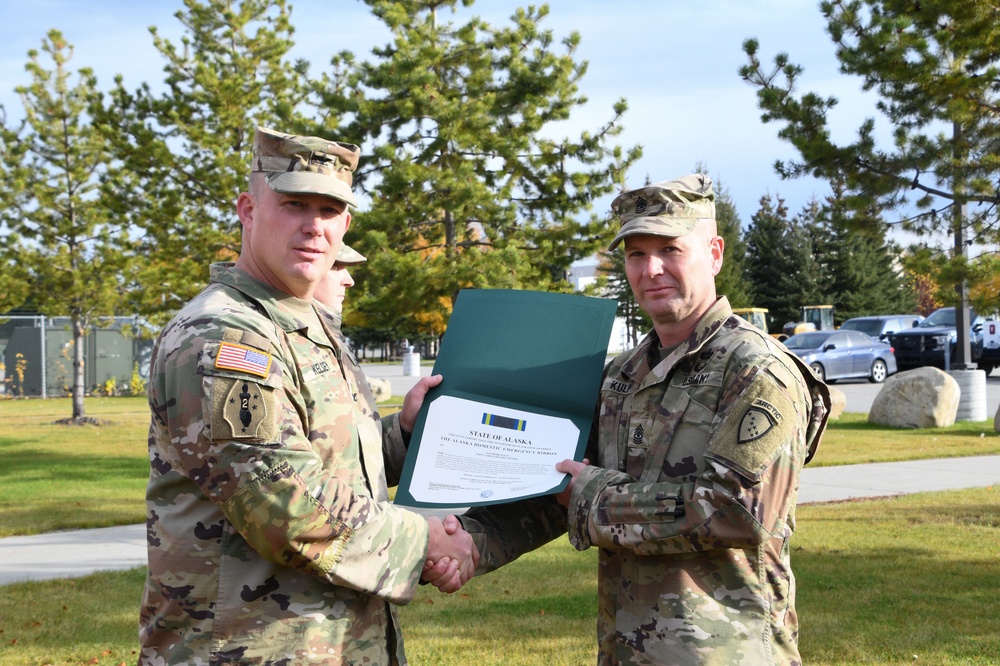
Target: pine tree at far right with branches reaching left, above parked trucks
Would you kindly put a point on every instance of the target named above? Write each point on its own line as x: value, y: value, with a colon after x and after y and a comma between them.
x: 934, y: 65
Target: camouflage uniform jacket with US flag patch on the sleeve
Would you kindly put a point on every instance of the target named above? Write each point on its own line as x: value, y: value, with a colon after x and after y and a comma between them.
x: 269, y: 533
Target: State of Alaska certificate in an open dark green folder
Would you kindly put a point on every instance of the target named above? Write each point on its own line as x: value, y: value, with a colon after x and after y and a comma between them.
x: 522, y: 370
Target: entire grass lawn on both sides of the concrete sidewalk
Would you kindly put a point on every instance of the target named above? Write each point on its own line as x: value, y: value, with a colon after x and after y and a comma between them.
x: 907, y: 580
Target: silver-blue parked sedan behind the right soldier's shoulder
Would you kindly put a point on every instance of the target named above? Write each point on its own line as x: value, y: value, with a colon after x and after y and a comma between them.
x: 841, y: 354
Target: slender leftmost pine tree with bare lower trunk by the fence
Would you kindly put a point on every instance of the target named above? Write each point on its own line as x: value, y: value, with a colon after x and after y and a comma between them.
x: 71, y: 252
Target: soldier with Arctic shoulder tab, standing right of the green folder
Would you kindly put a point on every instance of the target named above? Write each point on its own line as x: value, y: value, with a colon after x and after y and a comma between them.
x: 699, y: 438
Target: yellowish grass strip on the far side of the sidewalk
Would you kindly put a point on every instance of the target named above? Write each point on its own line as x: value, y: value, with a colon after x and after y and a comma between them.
x: 57, y: 477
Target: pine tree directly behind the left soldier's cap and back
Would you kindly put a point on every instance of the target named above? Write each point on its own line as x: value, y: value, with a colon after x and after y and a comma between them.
x: 188, y: 149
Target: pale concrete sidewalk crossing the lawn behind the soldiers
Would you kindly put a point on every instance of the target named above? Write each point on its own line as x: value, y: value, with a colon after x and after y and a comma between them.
x: 81, y: 552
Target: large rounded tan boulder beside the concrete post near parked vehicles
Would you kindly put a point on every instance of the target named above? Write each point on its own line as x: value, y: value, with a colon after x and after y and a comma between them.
x: 921, y: 398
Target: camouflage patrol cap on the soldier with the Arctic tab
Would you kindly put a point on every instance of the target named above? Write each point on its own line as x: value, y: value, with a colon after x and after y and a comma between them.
x: 670, y: 208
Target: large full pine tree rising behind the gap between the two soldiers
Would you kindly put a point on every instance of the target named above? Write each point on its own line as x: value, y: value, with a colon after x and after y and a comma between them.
x: 467, y: 188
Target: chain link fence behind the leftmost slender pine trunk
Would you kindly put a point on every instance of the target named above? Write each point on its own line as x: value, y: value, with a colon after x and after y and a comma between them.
x: 36, y: 356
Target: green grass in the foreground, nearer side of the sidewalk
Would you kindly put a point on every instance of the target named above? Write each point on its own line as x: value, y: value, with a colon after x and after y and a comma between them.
x: 907, y: 580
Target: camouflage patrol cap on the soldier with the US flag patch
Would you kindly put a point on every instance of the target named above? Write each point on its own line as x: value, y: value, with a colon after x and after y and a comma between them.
x: 305, y: 164
